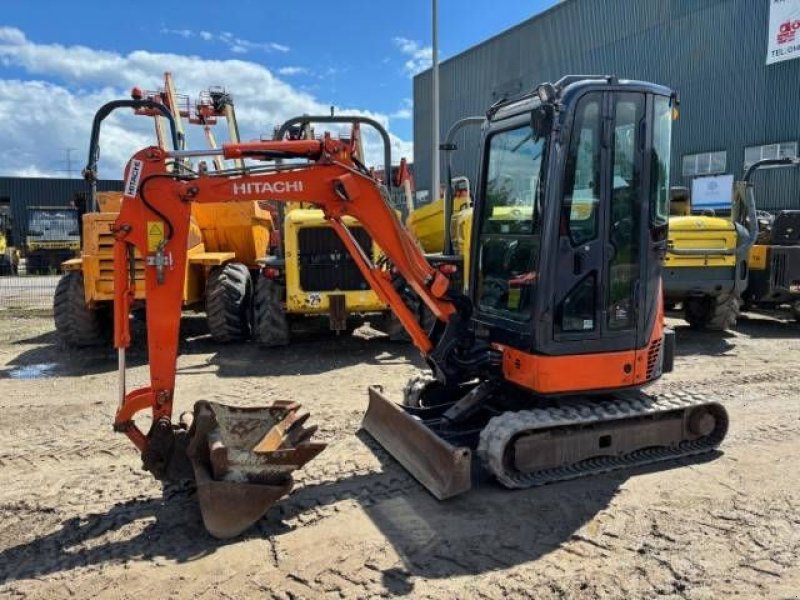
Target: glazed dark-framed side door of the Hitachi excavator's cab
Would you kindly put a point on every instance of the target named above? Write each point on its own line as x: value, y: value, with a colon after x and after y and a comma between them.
x: 598, y: 260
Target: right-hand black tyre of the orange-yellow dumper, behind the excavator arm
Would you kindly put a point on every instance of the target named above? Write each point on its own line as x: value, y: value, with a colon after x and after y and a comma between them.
x: 228, y: 300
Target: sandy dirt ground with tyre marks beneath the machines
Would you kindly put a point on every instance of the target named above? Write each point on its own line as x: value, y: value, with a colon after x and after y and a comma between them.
x: 78, y: 517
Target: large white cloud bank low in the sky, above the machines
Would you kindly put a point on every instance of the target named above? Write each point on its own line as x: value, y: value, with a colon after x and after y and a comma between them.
x: 65, y: 85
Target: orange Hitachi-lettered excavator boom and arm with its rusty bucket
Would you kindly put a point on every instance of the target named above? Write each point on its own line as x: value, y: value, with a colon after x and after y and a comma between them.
x: 154, y: 223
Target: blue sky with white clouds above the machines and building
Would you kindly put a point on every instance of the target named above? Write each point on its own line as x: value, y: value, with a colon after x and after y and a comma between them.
x: 357, y: 55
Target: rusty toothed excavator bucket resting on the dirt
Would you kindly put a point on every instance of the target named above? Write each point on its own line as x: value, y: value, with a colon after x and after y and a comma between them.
x: 243, y: 459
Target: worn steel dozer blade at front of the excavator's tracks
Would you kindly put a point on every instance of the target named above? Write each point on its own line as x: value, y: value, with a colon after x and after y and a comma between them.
x: 444, y: 469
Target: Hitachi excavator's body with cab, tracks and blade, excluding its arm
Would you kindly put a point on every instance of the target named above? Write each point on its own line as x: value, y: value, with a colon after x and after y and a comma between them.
x: 568, y: 239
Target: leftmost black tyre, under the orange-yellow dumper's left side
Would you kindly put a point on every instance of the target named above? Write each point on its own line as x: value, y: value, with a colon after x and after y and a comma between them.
x: 77, y: 324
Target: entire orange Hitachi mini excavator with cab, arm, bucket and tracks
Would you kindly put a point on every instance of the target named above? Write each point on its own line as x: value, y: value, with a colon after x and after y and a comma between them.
x: 539, y: 371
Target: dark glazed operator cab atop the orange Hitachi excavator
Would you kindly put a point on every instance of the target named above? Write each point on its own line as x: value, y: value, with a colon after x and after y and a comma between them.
x: 571, y: 228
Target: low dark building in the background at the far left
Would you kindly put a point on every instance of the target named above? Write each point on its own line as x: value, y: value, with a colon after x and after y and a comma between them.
x: 29, y: 191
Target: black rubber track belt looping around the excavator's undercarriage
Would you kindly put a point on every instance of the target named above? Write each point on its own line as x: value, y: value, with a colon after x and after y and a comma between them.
x: 501, y: 430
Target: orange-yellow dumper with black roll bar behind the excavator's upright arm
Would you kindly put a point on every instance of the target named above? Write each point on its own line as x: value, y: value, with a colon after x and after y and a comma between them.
x: 226, y: 242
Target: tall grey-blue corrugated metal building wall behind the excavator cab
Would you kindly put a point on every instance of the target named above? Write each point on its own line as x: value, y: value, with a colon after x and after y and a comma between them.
x: 712, y: 51
